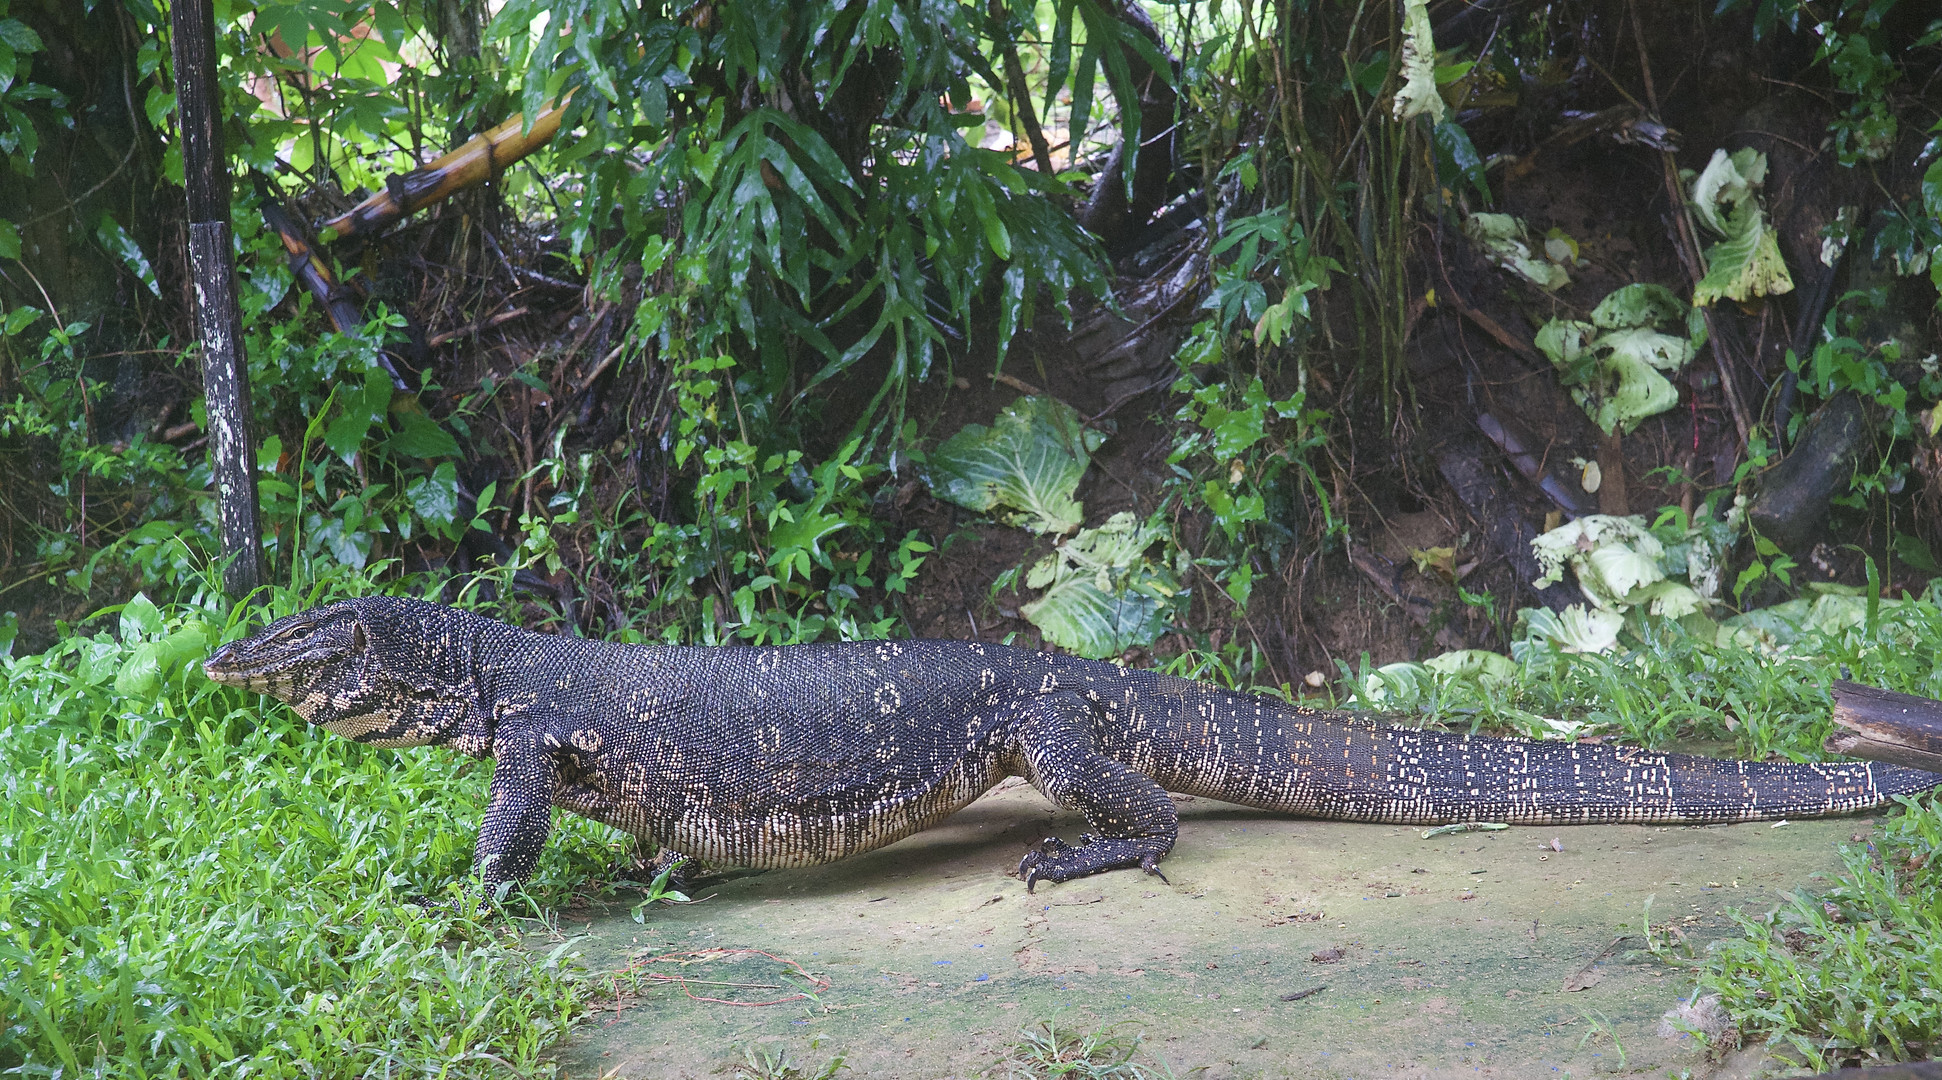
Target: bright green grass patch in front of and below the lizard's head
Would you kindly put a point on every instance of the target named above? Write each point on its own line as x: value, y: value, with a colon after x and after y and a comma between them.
x: 195, y: 885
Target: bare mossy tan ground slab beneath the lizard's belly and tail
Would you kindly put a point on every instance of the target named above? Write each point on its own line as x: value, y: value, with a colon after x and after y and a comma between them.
x: 1426, y: 959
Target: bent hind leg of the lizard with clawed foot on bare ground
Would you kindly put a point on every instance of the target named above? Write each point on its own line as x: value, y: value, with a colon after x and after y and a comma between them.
x: 1133, y: 819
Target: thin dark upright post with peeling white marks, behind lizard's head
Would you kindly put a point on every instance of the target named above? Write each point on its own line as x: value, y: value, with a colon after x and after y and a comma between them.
x: 218, y: 318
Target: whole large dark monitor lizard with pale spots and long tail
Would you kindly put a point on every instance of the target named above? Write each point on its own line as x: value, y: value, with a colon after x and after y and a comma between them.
x: 815, y: 753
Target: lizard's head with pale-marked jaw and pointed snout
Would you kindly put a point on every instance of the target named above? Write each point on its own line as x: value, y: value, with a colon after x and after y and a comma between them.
x: 378, y: 669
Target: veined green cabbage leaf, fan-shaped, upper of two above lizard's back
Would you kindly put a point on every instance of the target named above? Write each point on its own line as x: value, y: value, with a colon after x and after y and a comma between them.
x: 1030, y: 461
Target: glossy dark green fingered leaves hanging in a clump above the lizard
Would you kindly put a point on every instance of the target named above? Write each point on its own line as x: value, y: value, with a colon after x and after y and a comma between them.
x: 828, y: 224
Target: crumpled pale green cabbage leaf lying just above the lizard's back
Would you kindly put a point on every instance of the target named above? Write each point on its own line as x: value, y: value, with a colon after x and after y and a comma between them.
x: 1102, y: 595
